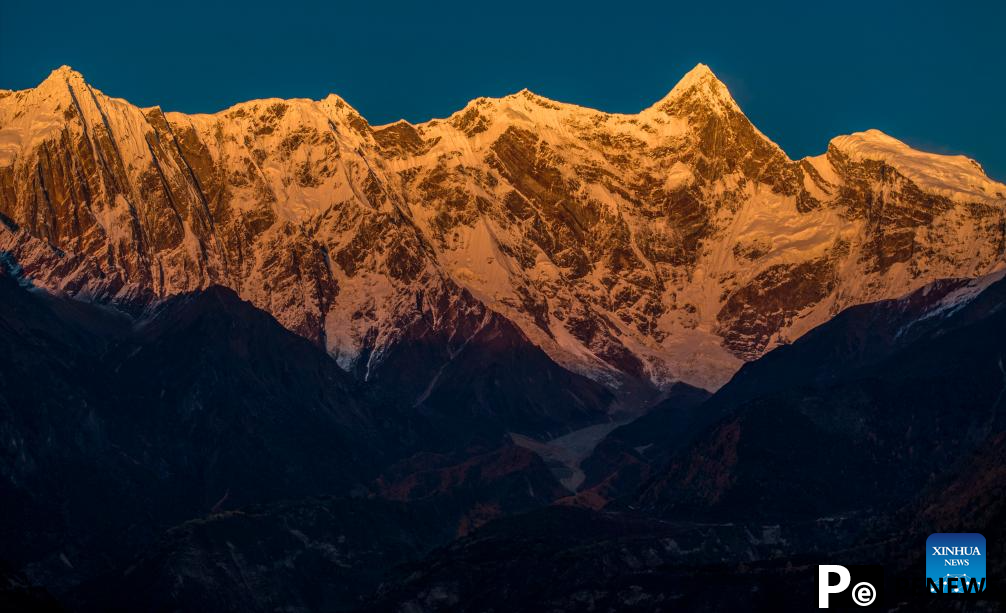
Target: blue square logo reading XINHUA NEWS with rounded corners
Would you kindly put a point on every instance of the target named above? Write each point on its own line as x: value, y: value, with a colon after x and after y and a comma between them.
x: 955, y: 563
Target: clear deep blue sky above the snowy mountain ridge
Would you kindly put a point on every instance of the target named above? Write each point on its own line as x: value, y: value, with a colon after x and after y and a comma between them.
x: 932, y: 74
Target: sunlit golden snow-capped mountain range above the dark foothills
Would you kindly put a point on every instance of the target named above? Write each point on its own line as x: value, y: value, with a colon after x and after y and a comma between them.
x: 670, y: 245
